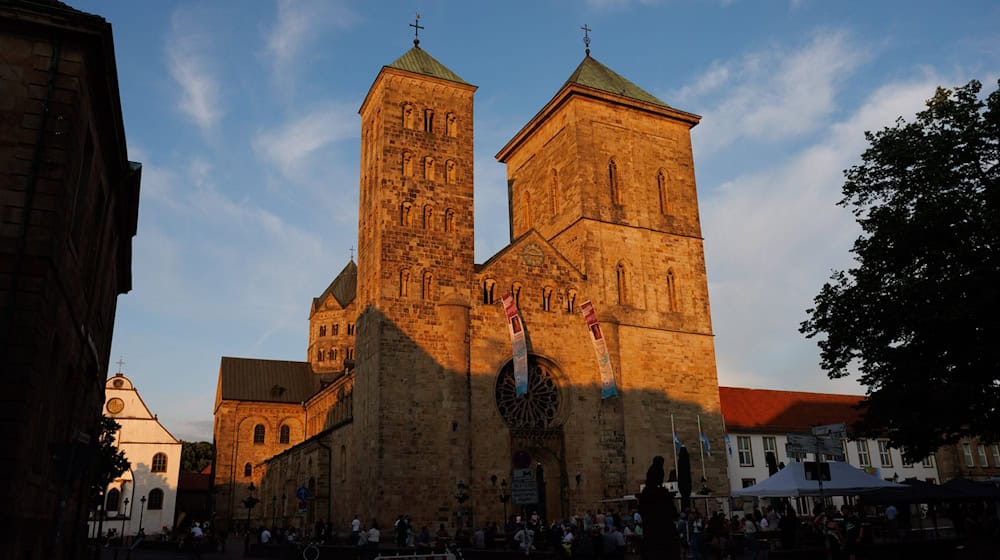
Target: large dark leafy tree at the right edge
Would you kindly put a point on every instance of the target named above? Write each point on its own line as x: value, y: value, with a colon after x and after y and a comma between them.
x: 917, y: 316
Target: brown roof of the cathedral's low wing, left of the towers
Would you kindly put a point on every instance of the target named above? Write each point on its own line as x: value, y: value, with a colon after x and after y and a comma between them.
x: 249, y: 379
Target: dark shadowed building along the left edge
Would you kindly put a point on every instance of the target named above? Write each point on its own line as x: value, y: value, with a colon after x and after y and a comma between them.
x: 68, y: 211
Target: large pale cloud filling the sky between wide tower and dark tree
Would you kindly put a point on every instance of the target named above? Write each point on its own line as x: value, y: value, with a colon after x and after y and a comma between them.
x: 773, y: 238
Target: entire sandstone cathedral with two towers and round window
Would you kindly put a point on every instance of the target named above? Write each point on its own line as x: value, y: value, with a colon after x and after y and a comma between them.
x: 406, y: 404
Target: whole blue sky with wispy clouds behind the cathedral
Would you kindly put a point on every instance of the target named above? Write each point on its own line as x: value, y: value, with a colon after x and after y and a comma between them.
x: 244, y: 115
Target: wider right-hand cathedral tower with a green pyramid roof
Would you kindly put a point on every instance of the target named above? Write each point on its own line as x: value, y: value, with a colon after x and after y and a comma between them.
x: 605, y: 173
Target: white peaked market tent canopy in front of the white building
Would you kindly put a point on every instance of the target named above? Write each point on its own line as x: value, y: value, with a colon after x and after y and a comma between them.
x: 790, y: 481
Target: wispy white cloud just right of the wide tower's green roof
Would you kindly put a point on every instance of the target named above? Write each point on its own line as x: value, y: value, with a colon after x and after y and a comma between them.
x: 771, y: 95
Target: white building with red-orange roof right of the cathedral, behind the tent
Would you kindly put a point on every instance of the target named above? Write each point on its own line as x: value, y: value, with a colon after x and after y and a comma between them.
x: 758, y: 422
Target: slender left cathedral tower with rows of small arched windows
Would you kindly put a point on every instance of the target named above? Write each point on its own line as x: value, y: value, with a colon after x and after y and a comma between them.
x: 415, y: 266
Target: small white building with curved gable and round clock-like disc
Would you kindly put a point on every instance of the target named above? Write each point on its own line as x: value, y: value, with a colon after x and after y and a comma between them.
x: 143, y: 497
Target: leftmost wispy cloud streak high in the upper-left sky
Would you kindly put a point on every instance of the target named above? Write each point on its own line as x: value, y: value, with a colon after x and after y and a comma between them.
x: 200, y: 95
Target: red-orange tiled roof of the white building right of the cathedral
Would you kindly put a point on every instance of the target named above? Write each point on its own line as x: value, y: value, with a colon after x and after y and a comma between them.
x: 770, y: 411
